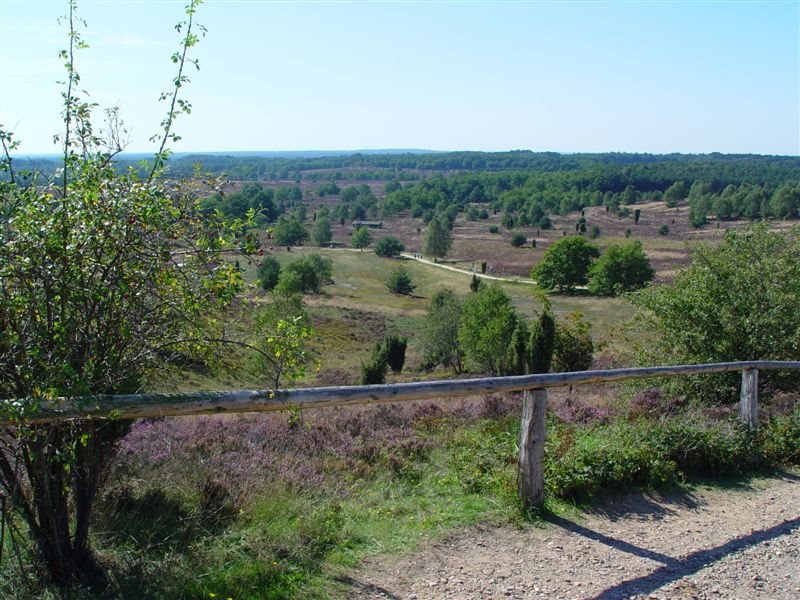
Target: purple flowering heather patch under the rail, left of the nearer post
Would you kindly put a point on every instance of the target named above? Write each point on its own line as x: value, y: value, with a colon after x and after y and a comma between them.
x: 304, y: 451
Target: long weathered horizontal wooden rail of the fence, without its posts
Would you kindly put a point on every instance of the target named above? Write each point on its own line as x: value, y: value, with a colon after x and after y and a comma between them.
x: 138, y: 406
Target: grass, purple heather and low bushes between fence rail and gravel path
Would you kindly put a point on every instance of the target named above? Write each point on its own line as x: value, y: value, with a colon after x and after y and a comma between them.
x: 271, y: 506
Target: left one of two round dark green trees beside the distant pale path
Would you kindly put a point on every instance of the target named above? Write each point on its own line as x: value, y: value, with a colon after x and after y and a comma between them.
x: 565, y: 264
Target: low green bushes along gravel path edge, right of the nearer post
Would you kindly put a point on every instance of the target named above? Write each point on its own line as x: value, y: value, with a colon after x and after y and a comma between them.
x: 581, y: 462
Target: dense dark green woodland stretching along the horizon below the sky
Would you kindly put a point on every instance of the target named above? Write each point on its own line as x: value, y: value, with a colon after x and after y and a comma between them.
x: 527, y: 188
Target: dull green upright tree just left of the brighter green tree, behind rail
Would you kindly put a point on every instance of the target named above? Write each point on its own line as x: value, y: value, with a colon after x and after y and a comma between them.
x: 439, y: 336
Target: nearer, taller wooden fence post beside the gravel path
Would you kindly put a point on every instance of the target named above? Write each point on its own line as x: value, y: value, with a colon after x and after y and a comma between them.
x: 530, y: 477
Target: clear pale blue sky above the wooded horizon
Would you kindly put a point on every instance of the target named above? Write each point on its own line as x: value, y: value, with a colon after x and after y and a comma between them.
x: 568, y: 76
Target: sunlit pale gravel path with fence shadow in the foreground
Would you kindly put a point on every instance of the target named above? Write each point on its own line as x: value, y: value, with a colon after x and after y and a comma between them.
x: 713, y: 543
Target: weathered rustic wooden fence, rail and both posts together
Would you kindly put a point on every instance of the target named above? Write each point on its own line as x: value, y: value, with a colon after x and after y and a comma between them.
x: 531, y: 452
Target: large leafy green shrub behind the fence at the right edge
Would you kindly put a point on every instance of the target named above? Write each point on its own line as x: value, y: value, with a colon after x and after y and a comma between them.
x: 736, y: 301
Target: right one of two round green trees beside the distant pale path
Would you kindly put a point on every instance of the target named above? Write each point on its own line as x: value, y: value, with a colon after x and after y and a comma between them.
x: 621, y: 268
